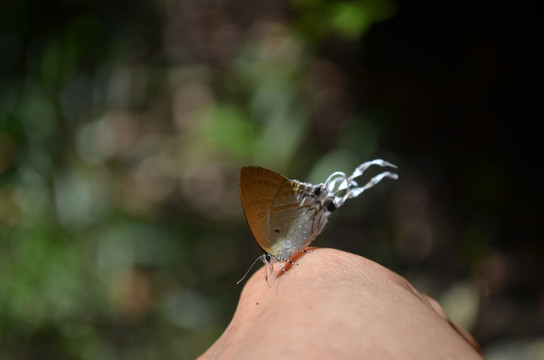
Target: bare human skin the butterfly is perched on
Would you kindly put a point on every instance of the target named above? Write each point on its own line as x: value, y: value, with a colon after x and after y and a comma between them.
x: 336, y: 305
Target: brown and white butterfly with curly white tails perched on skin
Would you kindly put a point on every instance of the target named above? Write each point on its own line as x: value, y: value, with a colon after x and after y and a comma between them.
x: 285, y: 216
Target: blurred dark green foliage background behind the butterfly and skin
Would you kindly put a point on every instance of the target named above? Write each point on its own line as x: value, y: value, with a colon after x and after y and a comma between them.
x: 123, y: 125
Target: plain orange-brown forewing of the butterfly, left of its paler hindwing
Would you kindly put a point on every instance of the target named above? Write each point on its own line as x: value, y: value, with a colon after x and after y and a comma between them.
x: 258, y: 188
